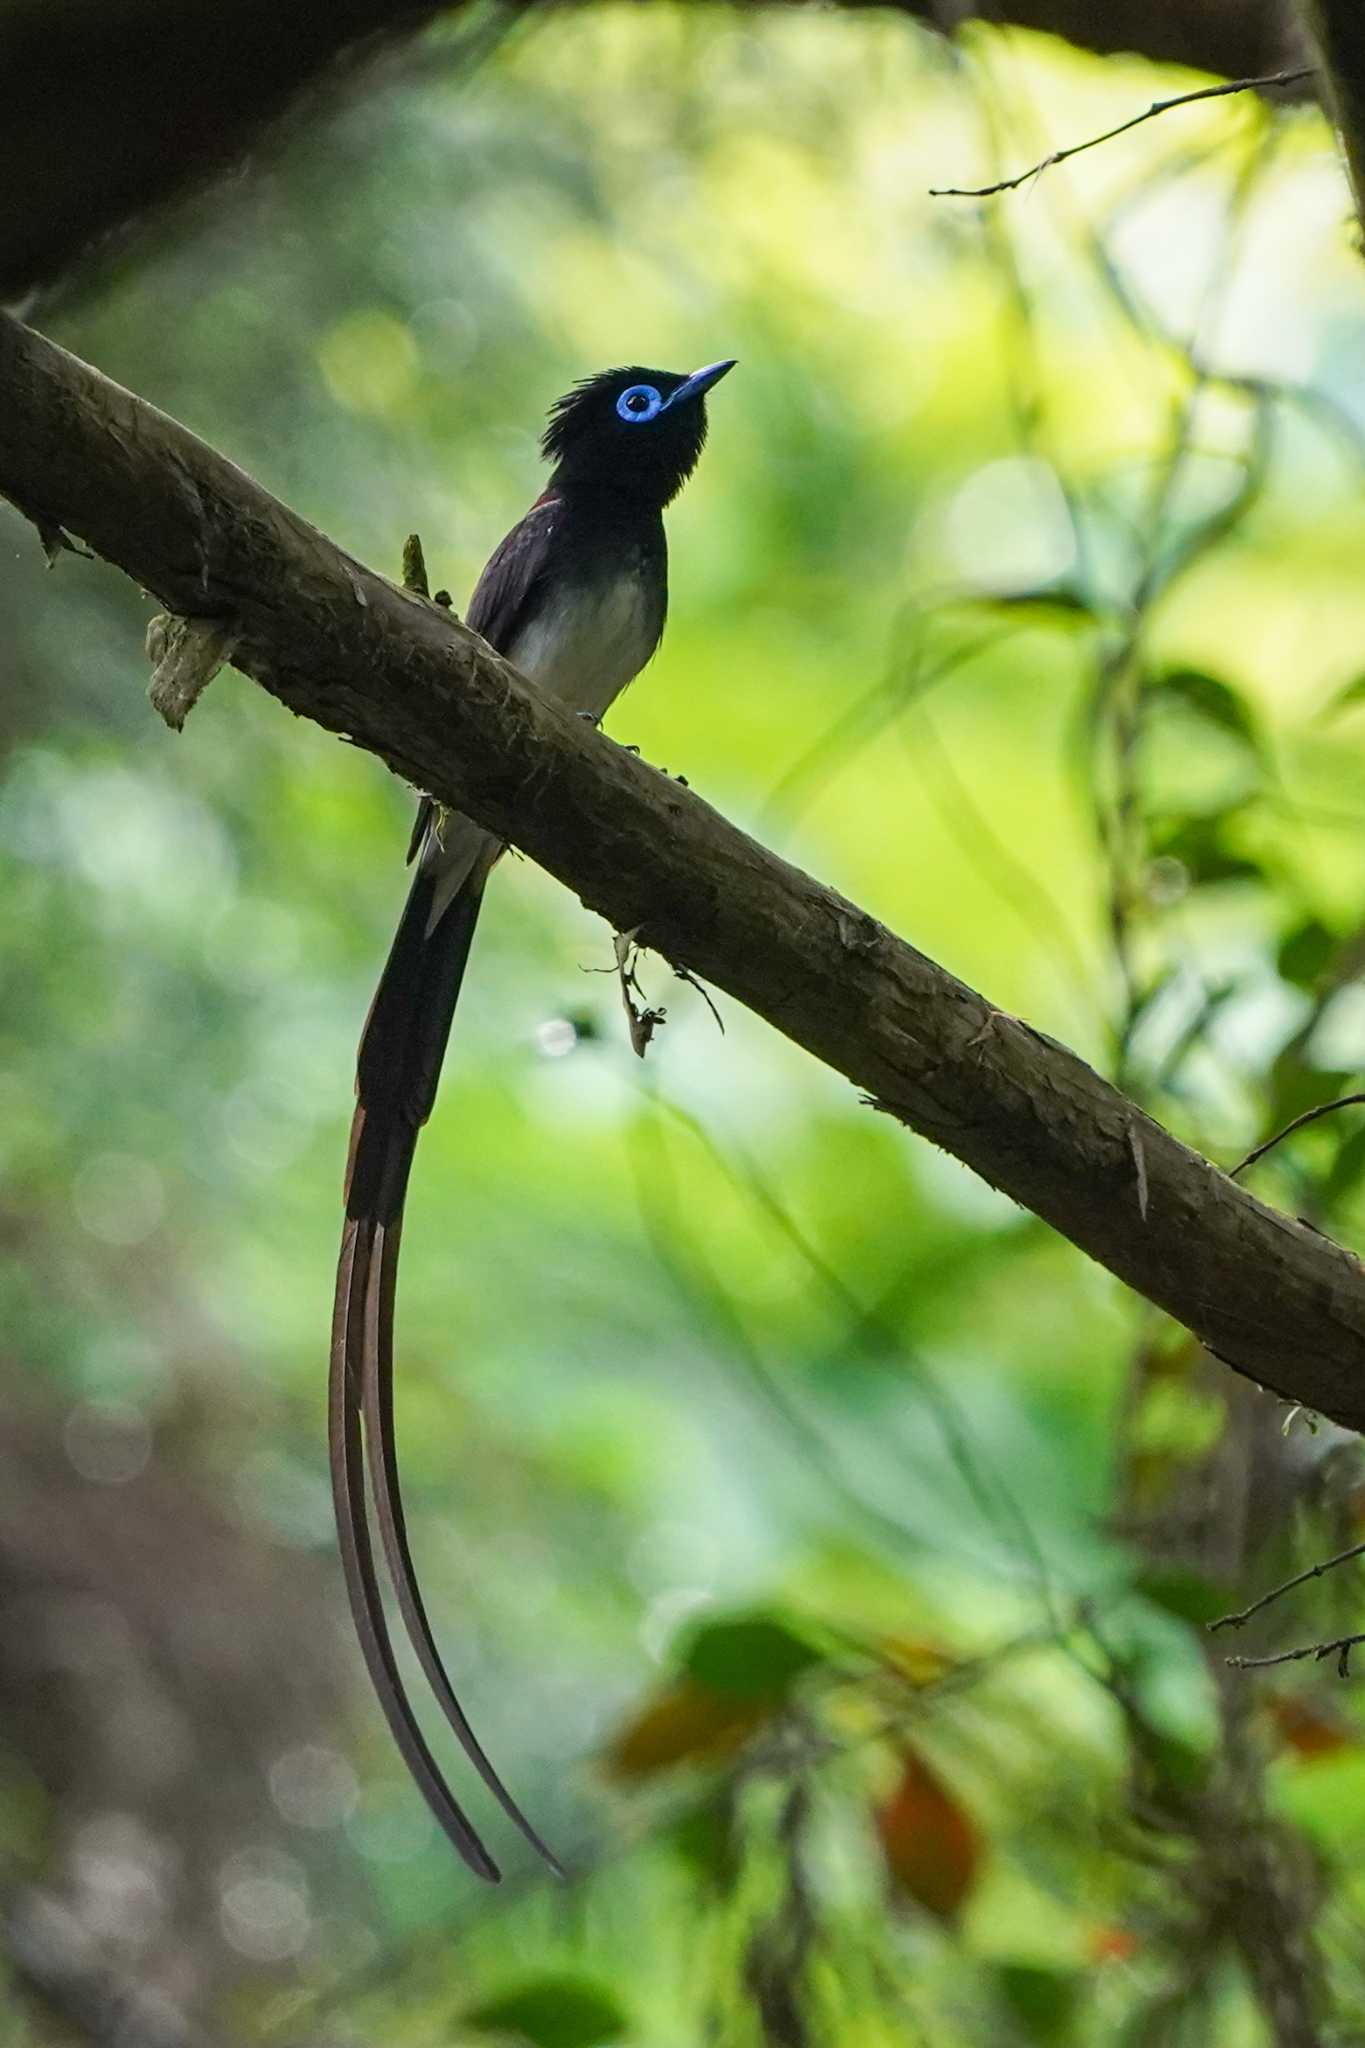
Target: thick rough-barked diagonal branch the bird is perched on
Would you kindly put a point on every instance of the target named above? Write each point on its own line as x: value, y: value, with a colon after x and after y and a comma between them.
x: 406, y: 681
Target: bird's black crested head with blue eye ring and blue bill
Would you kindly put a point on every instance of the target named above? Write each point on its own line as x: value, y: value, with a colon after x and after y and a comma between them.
x: 631, y: 433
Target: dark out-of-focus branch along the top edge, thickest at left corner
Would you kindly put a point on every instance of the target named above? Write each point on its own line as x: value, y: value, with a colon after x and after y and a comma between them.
x: 114, y: 108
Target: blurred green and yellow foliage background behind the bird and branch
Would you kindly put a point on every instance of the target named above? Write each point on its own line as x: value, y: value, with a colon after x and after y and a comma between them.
x: 824, y: 1549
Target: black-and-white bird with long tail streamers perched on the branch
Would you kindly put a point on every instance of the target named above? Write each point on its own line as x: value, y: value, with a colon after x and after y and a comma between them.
x: 576, y: 599
